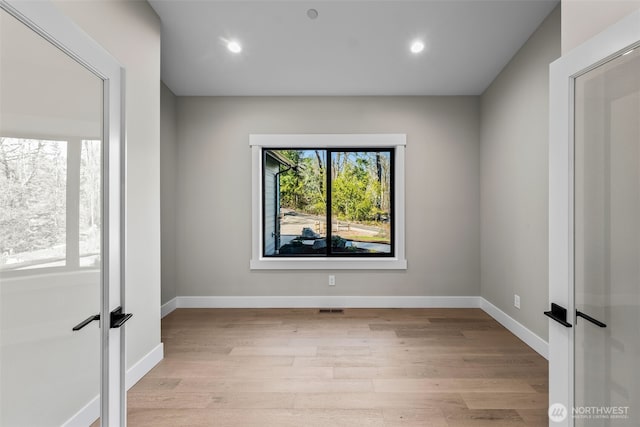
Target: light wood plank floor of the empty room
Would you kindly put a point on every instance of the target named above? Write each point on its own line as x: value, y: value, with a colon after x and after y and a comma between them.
x: 366, y: 367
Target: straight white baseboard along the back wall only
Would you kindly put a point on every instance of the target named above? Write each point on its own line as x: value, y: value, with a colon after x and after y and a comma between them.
x: 327, y: 302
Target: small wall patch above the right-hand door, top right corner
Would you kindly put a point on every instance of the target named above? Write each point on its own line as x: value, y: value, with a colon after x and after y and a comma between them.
x: 583, y: 19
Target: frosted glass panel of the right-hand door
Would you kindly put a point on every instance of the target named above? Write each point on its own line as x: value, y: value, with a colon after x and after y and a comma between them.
x: 607, y: 243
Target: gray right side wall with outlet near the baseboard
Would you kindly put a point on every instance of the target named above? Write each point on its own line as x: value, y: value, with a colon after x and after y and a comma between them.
x: 514, y: 180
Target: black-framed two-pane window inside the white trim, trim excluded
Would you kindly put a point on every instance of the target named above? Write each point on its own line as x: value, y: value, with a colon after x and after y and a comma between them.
x: 305, y: 191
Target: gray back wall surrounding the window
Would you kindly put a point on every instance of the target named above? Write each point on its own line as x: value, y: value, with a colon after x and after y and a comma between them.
x: 214, y: 192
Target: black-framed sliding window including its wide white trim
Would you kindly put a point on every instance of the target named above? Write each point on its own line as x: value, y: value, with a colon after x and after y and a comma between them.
x: 328, y: 201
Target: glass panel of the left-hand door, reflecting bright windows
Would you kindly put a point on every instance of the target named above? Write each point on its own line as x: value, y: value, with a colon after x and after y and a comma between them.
x: 51, y: 130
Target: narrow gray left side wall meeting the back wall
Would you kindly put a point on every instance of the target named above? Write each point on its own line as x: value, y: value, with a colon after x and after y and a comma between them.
x: 168, y: 183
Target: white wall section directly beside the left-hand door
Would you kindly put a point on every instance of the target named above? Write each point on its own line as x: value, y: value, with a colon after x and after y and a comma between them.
x: 130, y: 31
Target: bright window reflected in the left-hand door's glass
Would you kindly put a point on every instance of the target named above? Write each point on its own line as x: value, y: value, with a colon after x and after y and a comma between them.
x: 51, y: 204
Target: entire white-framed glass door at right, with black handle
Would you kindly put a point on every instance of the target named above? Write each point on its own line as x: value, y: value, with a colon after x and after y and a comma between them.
x: 595, y: 232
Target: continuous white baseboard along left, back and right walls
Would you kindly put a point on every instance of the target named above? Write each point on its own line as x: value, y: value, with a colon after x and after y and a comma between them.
x: 516, y: 328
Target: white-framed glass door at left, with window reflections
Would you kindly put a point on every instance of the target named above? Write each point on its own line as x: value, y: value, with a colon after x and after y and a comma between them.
x: 60, y: 228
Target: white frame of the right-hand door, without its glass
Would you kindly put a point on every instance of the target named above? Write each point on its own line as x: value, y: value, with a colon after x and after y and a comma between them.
x: 611, y: 43
